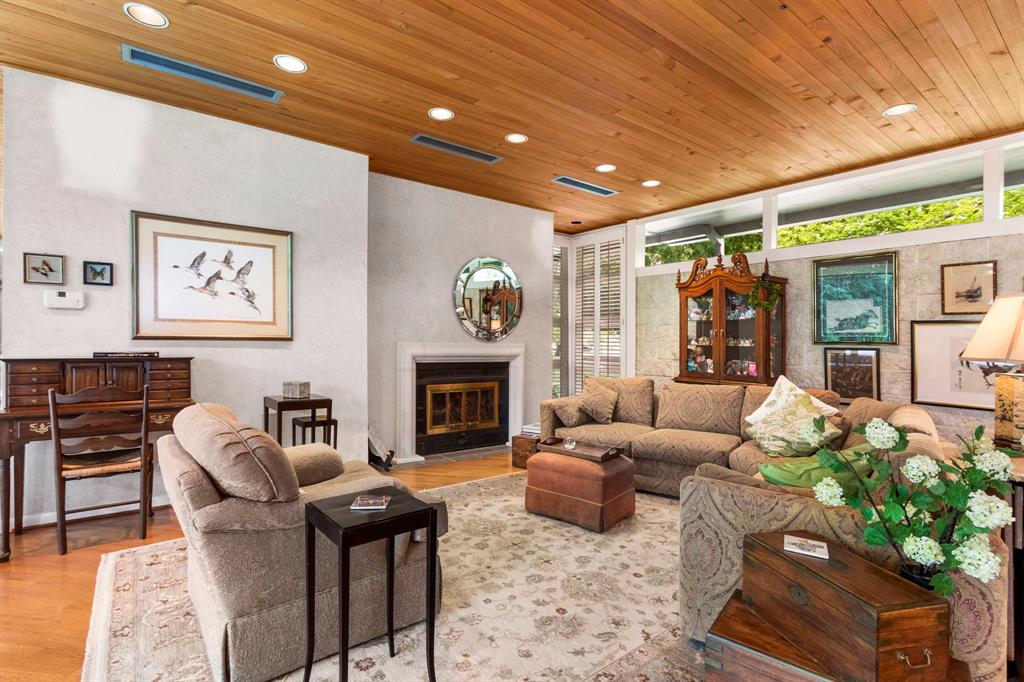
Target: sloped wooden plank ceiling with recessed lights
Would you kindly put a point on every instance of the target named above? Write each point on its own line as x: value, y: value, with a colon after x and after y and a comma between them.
x: 713, y: 98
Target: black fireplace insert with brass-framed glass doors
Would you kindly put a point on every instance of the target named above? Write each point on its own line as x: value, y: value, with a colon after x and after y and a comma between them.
x: 460, y: 406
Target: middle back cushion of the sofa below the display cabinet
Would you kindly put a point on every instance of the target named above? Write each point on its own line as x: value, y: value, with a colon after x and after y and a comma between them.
x: 701, y: 408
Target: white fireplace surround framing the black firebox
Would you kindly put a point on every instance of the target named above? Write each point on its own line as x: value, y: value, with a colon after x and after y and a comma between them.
x: 411, y: 354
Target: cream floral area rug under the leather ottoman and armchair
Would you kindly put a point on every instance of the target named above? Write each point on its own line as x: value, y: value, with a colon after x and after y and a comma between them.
x: 526, y: 599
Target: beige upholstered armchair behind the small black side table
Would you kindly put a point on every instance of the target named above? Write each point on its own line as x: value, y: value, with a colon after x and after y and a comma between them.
x: 238, y: 498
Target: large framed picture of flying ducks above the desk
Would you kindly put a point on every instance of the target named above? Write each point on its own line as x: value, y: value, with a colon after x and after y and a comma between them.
x: 201, y: 280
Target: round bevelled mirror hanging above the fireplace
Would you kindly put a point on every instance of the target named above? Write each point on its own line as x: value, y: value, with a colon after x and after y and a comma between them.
x: 488, y: 299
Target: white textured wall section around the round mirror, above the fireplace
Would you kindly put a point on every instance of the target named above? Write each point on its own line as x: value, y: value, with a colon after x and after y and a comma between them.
x: 420, y: 238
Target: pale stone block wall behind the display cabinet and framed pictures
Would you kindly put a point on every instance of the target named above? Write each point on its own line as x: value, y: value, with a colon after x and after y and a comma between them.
x: 920, y: 292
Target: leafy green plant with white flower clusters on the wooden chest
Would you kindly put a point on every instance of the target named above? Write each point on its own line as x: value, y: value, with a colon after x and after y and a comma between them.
x: 937, y: 516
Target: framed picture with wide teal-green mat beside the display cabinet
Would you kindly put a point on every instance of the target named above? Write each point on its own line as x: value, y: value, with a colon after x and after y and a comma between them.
x: 856, y: 300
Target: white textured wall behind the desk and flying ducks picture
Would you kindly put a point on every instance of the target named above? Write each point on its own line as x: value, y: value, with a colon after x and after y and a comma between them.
x: 77, y: 160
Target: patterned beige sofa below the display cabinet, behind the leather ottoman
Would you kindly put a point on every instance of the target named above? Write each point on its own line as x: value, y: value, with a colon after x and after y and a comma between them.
x: 670, y: 434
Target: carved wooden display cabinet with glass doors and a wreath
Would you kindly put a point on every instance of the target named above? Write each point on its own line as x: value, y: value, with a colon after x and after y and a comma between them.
x: 732, y: 324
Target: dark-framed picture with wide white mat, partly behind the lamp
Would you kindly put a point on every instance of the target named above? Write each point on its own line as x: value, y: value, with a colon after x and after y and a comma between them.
x: 938, y: 374
